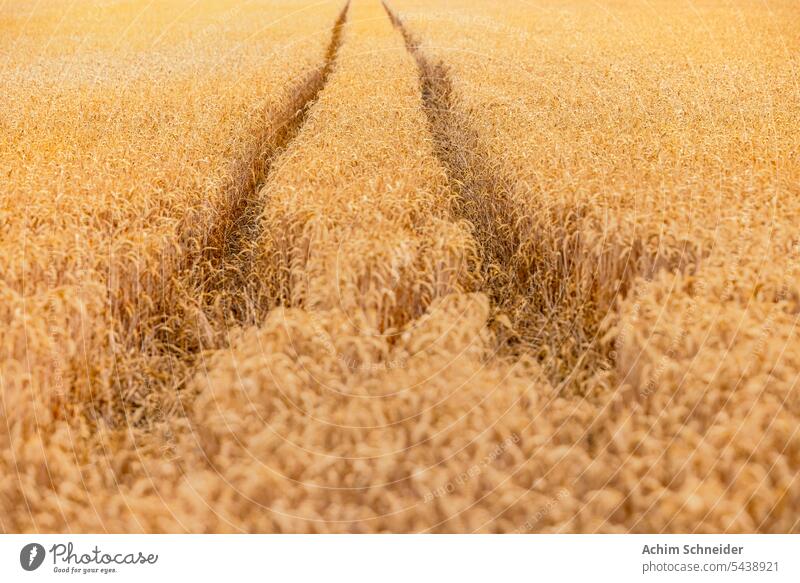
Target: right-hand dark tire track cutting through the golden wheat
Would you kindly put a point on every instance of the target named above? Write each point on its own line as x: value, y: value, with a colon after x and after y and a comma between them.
x: 528, y: 278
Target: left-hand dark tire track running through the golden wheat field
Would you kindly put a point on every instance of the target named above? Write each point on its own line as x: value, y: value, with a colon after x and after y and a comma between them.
x: 219, y: 288
